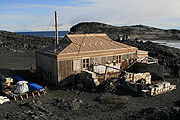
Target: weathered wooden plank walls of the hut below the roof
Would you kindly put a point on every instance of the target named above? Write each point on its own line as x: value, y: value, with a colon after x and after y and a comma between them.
x: 64, y: 71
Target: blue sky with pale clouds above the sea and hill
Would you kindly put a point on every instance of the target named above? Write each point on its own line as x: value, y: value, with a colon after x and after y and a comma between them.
x: 38, y: 15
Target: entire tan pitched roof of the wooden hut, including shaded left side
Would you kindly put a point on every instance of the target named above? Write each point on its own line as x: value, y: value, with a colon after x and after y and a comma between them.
x: 86, y: 45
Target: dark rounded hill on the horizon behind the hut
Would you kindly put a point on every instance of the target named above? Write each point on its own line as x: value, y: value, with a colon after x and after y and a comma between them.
x: 139, y: 31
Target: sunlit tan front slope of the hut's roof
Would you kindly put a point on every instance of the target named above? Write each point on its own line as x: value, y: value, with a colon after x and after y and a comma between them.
x: 81, y: 43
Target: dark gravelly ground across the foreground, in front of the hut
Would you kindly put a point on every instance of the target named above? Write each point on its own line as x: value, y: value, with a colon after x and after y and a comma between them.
x: 75, y: 104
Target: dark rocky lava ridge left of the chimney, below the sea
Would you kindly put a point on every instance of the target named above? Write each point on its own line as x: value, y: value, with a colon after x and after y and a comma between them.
x: 13, y: 42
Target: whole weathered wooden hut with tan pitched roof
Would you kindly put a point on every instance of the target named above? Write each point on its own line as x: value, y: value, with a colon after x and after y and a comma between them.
x: 76, y: 52
